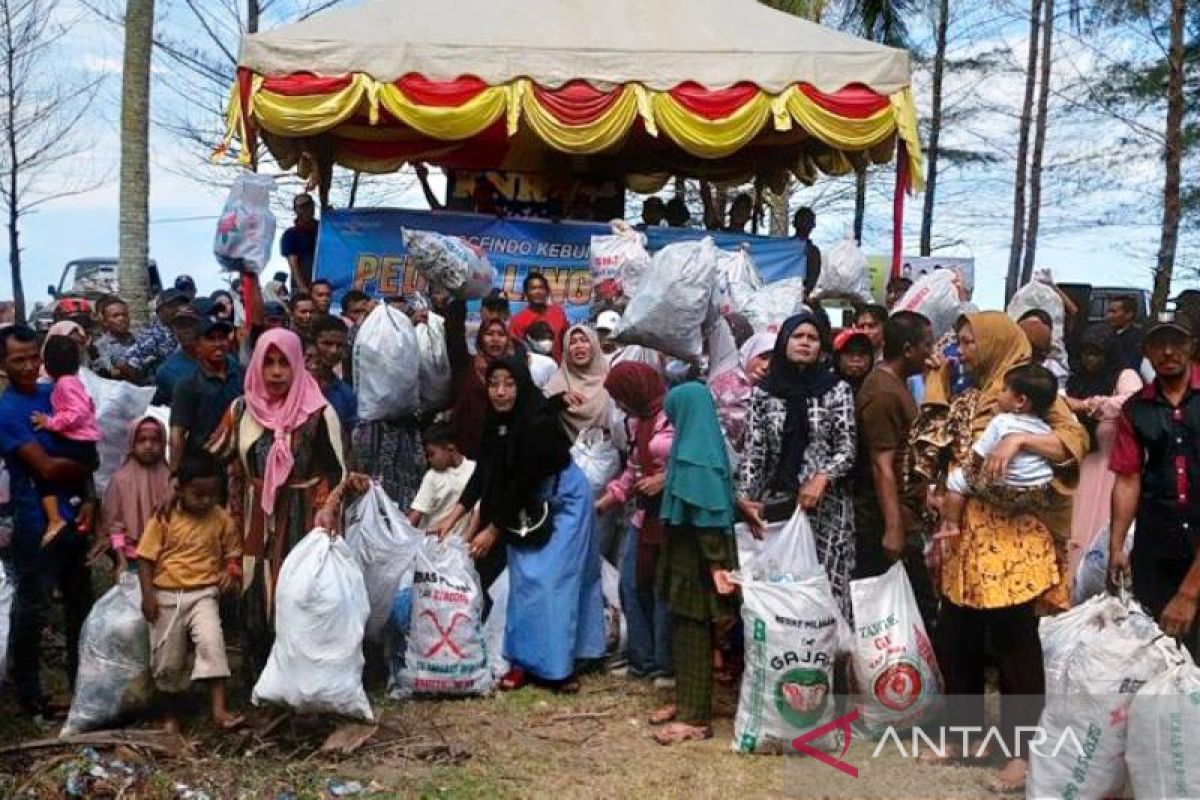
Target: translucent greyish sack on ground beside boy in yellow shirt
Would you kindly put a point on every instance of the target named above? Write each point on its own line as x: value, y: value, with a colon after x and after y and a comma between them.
x: 115, y: 677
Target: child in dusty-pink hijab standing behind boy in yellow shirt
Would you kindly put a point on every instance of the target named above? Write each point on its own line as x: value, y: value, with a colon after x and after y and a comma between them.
x: 137, y: 490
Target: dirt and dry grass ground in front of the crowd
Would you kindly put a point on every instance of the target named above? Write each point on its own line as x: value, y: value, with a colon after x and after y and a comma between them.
x: 529, y: 744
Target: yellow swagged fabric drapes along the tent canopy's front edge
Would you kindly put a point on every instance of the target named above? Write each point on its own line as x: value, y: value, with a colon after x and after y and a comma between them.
x: 307, y: 116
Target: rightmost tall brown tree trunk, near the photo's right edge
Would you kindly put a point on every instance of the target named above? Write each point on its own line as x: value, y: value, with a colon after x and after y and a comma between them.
x: 1173, y: 206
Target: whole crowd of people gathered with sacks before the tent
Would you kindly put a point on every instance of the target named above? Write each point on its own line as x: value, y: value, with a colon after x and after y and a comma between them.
x: 965, y: 459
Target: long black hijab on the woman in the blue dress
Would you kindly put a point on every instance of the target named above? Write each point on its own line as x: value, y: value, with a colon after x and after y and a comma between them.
x: 520, y: 448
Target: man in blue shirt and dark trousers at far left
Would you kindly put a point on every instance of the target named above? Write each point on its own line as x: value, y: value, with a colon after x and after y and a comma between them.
x: 32, y: 455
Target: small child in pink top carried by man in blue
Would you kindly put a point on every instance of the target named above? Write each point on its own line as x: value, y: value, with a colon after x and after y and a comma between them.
x: 74, y: 419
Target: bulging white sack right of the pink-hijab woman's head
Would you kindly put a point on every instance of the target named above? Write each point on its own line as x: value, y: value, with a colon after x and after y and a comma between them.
x: 387, y: 366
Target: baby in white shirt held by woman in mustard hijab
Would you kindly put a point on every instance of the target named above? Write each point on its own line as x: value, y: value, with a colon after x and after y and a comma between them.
x: 1028, y: 396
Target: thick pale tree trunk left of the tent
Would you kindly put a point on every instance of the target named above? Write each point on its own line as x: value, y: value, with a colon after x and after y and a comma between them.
x: 135, y: 190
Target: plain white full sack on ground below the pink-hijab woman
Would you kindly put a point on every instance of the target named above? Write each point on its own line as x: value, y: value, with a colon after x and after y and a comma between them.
x: 321, y: 613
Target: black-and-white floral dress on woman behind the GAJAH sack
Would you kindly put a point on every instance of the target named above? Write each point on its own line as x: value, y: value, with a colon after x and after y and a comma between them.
x: 832, y: 448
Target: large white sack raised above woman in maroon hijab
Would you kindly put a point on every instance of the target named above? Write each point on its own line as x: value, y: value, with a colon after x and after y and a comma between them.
x: 674, y: 303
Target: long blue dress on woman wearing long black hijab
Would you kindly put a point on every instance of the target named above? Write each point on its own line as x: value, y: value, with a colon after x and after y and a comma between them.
x: 556, y: 605
